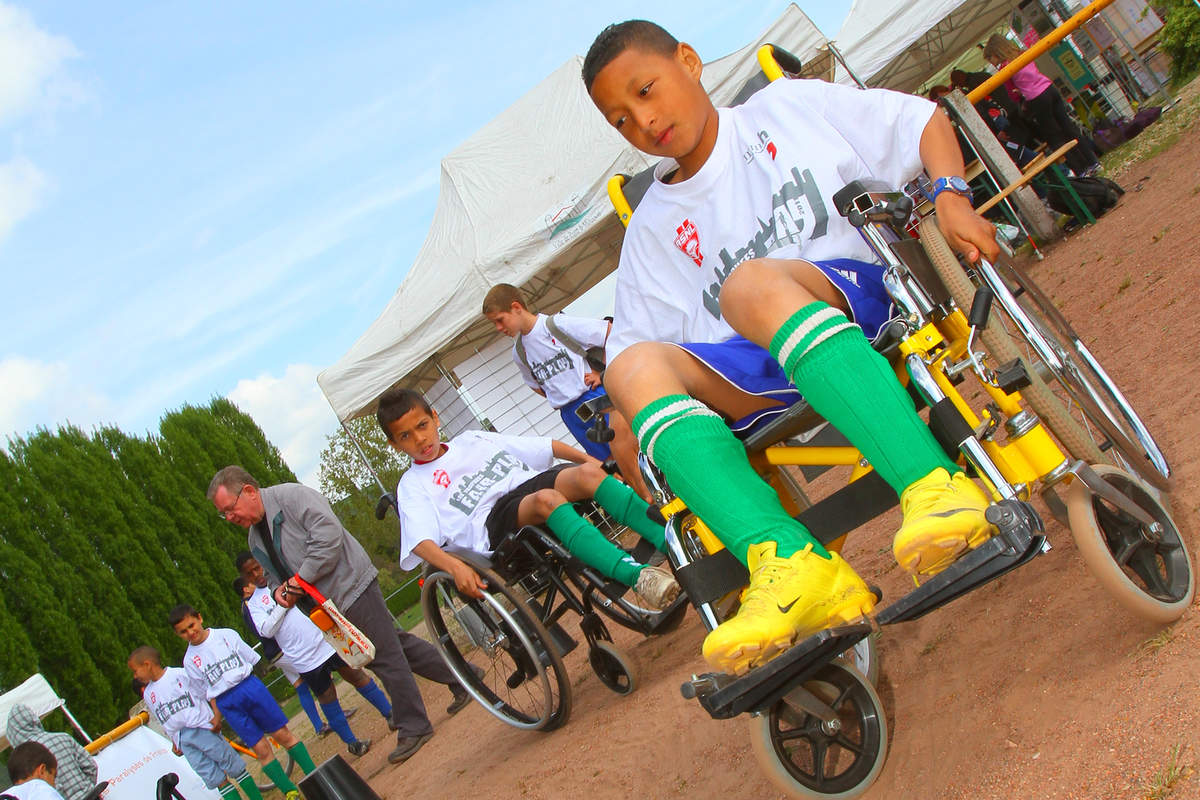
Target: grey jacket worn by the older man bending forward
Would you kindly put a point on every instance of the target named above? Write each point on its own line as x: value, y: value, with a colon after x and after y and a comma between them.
x: 313, y: 544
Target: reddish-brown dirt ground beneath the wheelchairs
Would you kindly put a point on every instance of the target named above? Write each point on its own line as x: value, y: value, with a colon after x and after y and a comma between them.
x: 1037, y: 685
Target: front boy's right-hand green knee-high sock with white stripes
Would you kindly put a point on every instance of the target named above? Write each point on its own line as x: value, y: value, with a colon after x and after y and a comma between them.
x: 853, y: 387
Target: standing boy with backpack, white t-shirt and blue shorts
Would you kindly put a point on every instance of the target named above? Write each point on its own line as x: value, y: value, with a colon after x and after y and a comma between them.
x: 553, y: 354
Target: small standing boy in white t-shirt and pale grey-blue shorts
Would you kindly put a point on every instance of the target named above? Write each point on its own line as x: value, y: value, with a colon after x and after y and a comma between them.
x: 181, y: 706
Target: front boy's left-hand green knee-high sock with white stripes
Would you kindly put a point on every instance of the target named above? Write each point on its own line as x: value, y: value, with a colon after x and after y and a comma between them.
x: 707, y: 467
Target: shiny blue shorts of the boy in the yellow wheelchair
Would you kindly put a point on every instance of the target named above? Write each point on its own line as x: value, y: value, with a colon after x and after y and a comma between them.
x: 754, y: 371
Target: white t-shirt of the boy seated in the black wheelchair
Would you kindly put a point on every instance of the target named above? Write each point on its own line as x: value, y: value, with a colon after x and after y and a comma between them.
x: 447, y: 501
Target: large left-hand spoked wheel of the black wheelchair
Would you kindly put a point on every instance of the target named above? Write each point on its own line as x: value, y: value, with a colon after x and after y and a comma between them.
x: 500, y: 652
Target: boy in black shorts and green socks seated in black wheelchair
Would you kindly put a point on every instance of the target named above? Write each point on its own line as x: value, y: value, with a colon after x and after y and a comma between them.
x: 475, y: 490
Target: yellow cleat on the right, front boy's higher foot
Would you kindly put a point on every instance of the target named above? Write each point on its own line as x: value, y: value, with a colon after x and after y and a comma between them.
x: 943, y: 520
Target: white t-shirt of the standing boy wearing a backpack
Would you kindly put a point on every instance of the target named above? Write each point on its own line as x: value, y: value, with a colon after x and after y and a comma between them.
x: 553, y: 368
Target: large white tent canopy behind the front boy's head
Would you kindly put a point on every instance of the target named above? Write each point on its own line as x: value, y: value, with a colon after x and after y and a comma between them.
x: 523, y: 202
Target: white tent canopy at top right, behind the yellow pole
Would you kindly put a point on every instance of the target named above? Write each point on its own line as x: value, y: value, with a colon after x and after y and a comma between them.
x: 899, y: 45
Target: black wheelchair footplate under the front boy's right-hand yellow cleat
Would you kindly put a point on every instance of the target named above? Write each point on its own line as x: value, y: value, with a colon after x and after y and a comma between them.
x: 1017, y: 543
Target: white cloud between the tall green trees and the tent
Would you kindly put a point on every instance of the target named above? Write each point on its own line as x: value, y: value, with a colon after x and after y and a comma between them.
x: 292, y: 413
